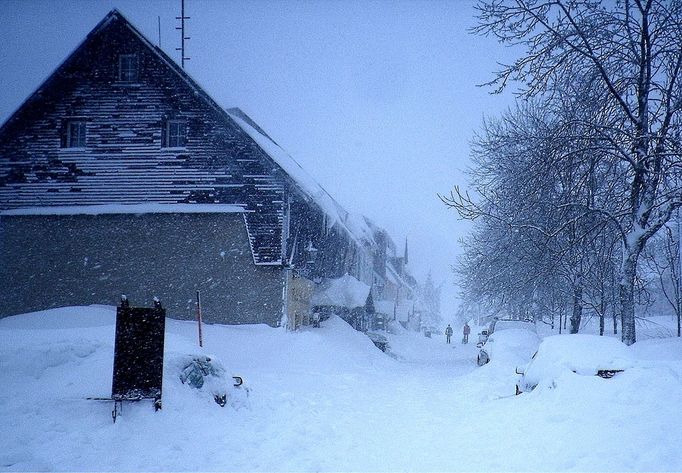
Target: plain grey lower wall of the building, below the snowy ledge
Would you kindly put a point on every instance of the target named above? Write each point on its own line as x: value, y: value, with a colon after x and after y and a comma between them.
x: 52, y: 261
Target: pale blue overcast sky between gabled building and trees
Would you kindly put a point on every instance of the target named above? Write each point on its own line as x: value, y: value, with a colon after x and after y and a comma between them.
x: 376, y: 100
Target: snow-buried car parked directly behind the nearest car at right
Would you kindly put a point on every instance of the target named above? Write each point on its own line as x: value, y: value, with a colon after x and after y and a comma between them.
x: 521, y: 333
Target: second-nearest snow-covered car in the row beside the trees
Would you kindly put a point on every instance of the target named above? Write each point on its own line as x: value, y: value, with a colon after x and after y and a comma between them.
x: 517, y: 344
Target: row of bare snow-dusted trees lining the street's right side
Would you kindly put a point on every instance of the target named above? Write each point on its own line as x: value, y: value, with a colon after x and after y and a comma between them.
x: 570, y: 186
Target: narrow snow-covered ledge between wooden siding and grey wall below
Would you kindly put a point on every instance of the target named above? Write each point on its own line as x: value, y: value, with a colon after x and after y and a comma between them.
x: 125, y: 209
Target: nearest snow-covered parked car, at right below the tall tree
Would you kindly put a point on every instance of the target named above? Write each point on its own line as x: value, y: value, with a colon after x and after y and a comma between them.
x: 587, y: 355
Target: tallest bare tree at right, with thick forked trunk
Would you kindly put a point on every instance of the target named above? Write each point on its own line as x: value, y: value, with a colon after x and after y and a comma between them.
x: 626, y: 58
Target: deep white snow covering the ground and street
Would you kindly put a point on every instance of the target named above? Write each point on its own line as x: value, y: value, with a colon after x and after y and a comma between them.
x: 325, y: 400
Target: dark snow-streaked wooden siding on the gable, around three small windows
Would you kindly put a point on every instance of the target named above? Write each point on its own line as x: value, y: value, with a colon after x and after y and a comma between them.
x: 124, y: 160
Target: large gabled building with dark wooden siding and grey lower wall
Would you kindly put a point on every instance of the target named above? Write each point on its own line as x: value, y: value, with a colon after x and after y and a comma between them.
x: 120, y: 175
